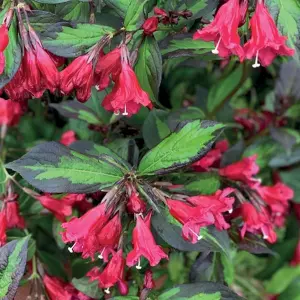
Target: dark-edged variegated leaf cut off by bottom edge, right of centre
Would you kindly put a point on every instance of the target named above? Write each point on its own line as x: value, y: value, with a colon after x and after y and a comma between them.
x: 202, y: 290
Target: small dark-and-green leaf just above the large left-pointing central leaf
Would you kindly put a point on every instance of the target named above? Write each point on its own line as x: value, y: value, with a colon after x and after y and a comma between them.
x: 77, y: 110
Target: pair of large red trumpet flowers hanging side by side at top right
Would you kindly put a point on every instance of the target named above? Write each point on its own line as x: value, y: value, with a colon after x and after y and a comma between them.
x: 265, y: 43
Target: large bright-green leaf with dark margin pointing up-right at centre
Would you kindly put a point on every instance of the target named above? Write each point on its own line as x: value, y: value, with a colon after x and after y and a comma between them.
x: 187, y: 144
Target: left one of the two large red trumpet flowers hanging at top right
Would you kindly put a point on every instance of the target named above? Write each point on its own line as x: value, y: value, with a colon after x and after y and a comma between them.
x: 223, y: 30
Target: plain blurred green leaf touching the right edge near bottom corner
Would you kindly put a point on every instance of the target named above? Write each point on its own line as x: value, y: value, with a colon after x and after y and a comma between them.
x: 282, y: 279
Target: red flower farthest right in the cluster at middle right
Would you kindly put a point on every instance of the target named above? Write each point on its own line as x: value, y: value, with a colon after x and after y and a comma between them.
x: 277, y: 197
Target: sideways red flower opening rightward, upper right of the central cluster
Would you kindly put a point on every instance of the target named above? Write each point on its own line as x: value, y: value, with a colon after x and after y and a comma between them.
x: 216, y: 204
